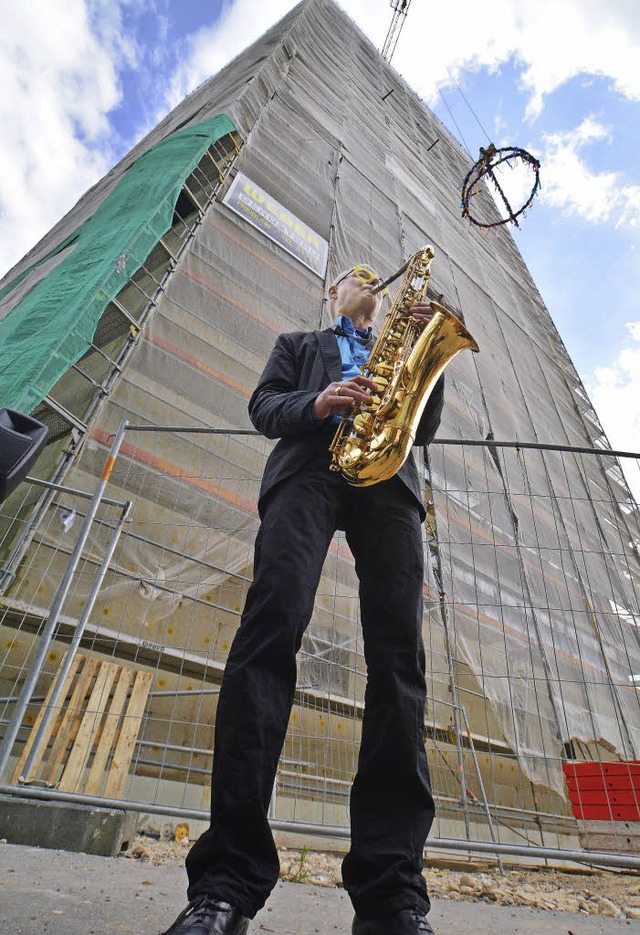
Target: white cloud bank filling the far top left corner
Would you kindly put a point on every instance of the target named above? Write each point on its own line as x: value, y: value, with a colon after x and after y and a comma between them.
x: 58, y: 81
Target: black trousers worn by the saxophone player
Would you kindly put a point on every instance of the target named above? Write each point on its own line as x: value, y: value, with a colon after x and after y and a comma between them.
x: 391, y: 803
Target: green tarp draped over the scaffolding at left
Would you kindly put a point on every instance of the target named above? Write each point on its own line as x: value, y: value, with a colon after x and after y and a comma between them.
x: 54, y: 325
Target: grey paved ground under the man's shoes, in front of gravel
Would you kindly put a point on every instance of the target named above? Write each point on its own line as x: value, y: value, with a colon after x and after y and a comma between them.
x: 48, y: 892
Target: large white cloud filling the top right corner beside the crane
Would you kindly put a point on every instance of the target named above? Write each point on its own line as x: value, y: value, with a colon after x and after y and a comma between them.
x: 554, y: 40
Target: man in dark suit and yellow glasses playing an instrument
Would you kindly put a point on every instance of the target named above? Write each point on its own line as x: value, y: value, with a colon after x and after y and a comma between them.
x: 309, y: 381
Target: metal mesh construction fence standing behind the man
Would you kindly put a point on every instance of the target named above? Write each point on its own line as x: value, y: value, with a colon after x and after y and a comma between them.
x: 109, y: 687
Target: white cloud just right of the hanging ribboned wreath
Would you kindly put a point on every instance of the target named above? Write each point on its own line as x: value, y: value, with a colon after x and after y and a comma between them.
x: 569, y: 183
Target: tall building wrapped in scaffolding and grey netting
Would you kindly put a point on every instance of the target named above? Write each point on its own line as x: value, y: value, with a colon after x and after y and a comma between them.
x: 157, y: 300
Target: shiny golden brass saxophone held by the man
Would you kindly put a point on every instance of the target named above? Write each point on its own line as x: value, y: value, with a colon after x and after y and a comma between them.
x: 373, y: 441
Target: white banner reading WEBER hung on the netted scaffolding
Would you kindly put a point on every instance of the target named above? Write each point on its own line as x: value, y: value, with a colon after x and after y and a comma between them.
x: 258, y: 208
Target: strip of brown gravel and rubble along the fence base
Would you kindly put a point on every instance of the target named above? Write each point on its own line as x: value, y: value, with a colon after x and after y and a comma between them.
x: 596, y: 893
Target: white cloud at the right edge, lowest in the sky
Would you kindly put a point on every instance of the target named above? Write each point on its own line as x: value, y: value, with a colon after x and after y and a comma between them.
x: 615, y: 393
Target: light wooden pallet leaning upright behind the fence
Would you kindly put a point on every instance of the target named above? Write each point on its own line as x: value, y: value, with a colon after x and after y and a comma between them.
x: 91, y: 739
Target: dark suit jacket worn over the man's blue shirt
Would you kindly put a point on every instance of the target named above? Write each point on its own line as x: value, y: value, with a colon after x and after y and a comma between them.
x: 301, y: 365
